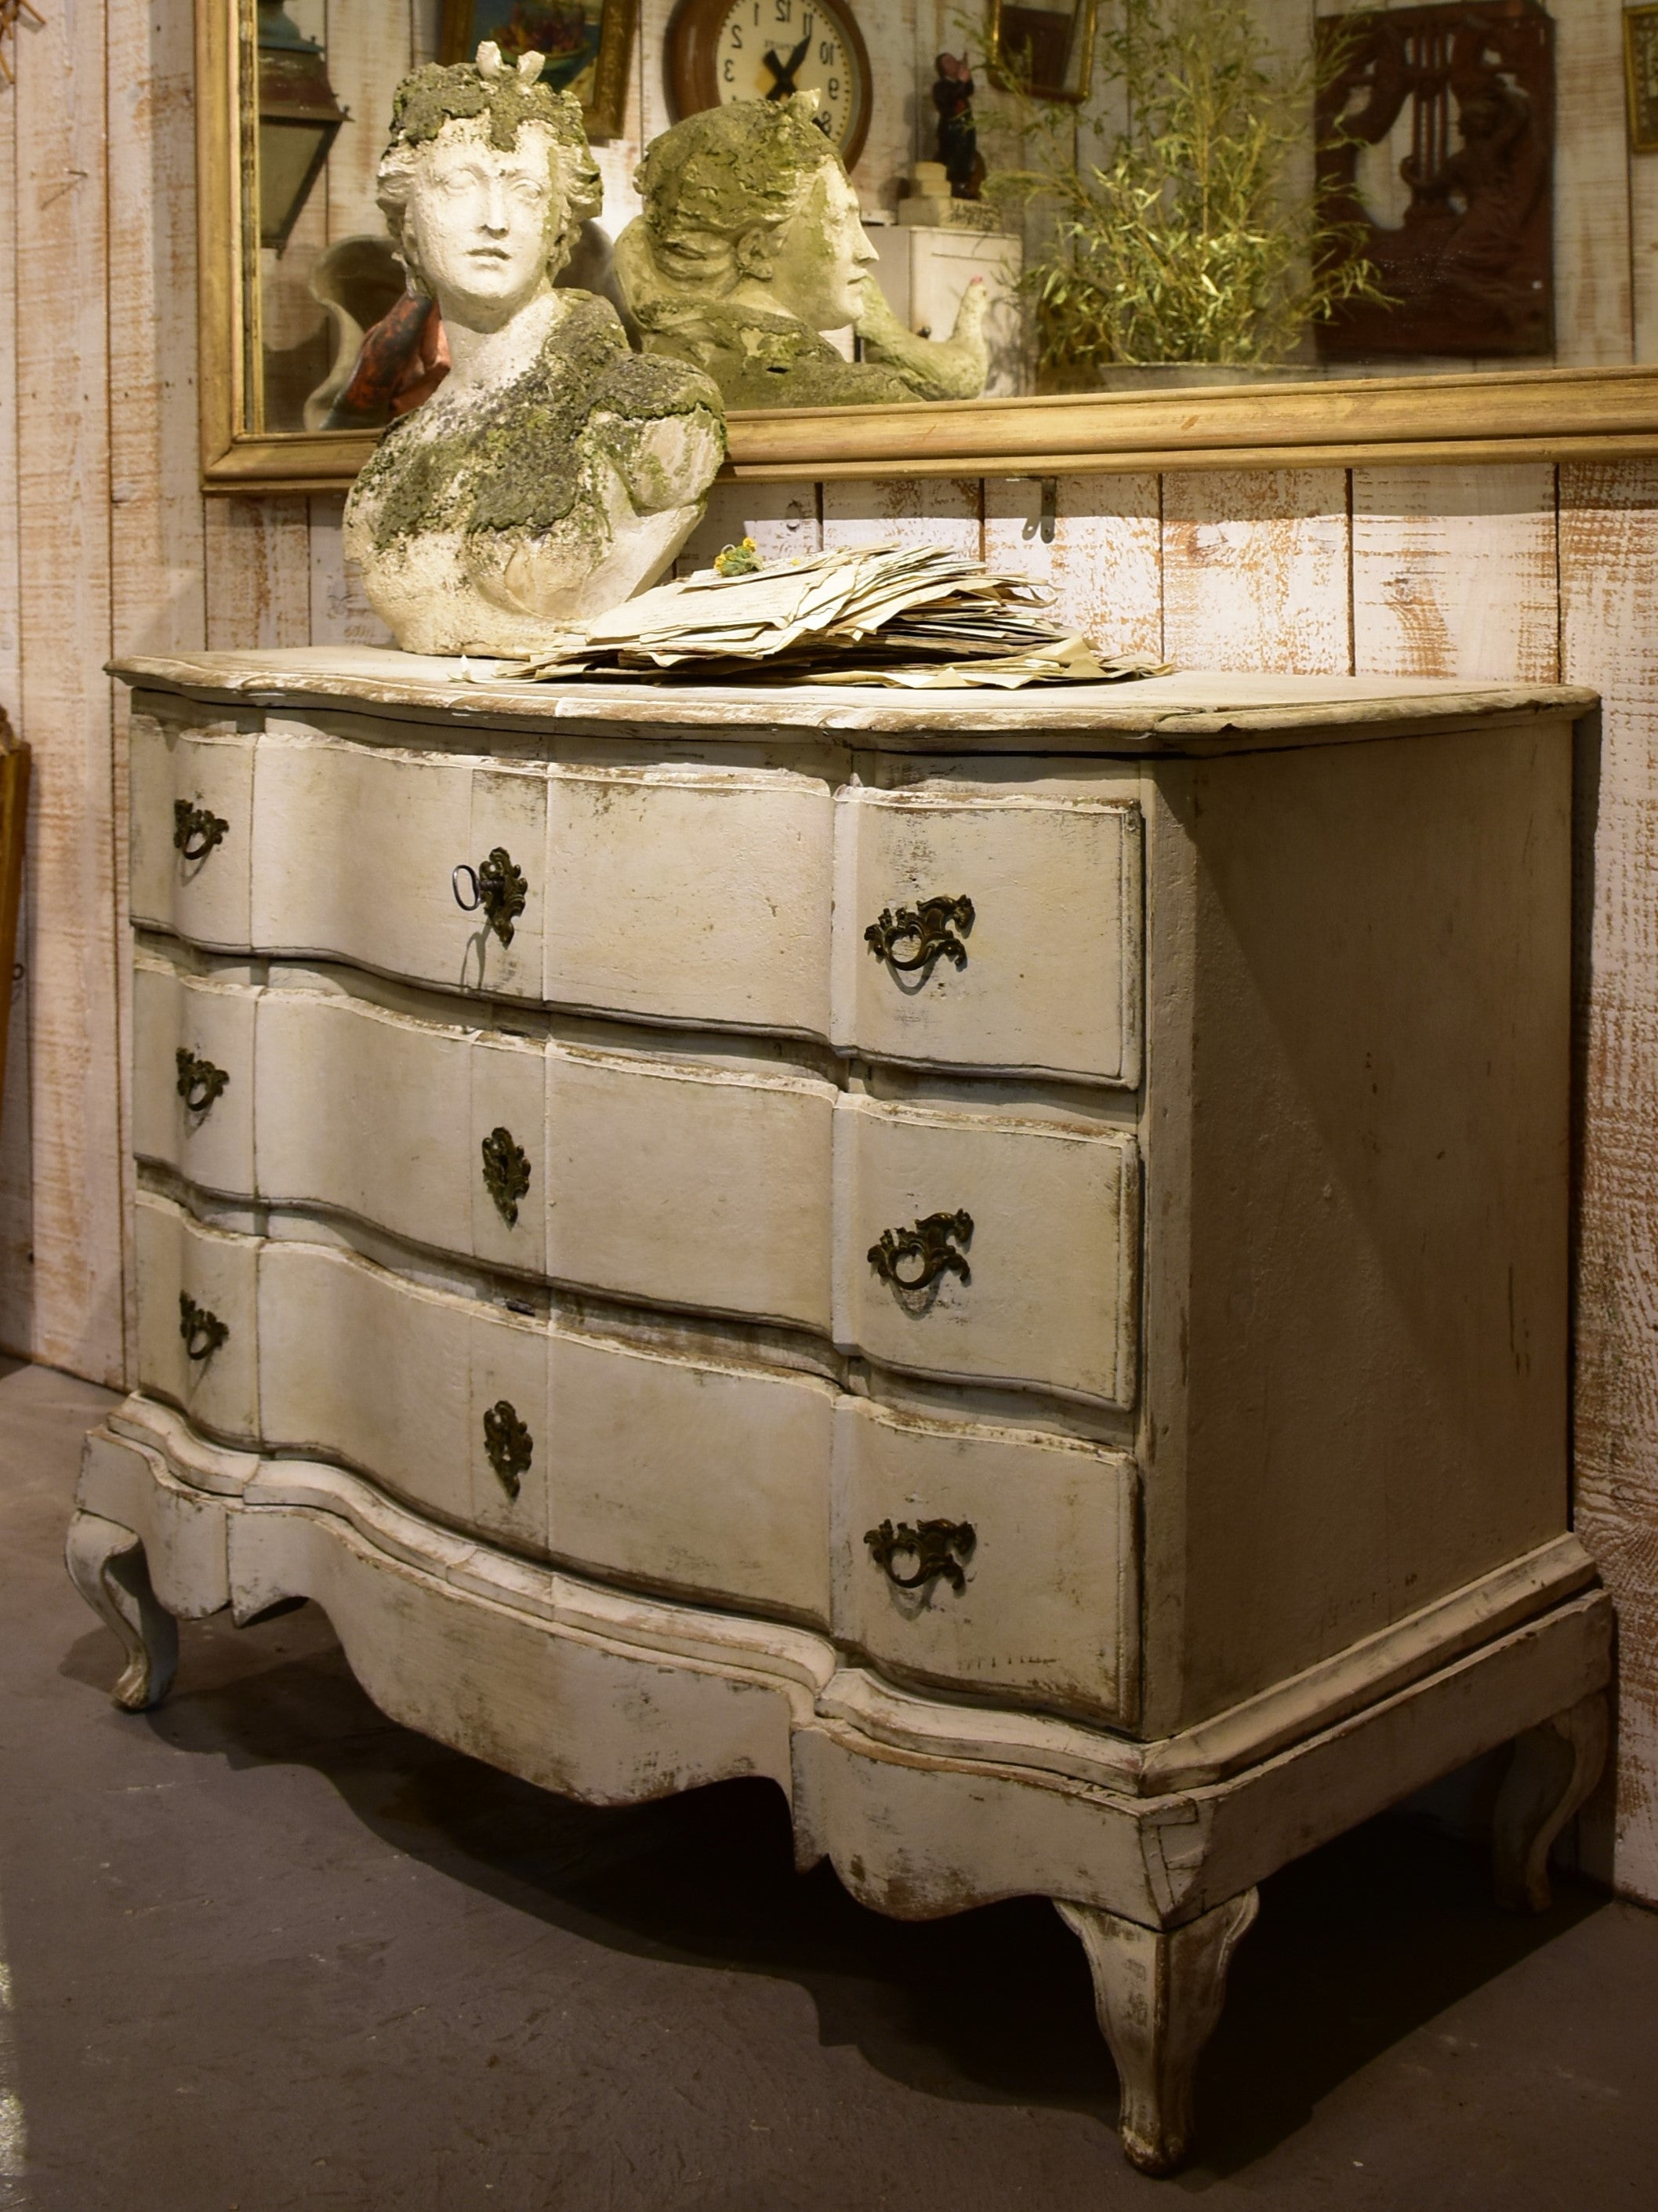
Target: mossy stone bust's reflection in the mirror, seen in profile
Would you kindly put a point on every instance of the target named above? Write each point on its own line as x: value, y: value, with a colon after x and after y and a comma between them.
x: 753, y: 244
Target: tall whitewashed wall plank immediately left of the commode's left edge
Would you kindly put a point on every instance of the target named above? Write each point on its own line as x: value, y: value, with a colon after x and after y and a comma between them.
x: 65, y: 696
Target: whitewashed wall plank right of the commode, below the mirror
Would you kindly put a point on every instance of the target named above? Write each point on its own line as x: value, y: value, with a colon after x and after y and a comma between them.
x: 1610, y: 640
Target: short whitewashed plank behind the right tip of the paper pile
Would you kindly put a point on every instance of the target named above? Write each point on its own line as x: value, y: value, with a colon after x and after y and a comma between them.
x: 1100, y: 552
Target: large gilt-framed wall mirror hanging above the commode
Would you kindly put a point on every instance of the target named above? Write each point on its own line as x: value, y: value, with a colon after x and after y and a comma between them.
x: 1188, y: 231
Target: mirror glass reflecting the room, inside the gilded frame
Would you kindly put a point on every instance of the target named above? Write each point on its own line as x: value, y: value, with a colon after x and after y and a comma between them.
x: 1407, y: 189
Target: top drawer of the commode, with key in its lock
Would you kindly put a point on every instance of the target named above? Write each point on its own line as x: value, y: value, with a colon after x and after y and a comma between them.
x: 961, y: 926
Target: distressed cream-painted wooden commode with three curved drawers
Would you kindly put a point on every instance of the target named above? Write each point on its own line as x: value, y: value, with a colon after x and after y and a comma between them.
x: 996, y: 1260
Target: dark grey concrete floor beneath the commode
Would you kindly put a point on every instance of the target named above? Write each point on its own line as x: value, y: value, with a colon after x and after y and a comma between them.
x: 269, y: 1950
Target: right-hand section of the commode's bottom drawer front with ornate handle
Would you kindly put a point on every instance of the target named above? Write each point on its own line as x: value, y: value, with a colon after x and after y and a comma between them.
x: 1027, y: 1583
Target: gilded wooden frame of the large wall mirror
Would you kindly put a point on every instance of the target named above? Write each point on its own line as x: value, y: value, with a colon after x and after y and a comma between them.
x: 1480, y: 417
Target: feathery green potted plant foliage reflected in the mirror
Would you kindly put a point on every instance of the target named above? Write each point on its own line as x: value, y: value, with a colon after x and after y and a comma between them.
x: 1204, y: 236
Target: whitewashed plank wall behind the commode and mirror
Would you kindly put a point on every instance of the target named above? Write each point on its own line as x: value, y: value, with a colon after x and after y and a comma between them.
x: 107, y: 547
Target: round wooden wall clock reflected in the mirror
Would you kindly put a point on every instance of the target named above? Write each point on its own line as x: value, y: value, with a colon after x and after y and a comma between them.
x: 764, y: 50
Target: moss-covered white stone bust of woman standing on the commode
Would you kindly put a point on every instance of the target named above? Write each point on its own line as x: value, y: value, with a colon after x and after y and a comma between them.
x: 554, y: 474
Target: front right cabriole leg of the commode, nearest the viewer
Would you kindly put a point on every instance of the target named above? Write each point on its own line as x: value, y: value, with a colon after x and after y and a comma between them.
x: 1159, y: 1996
